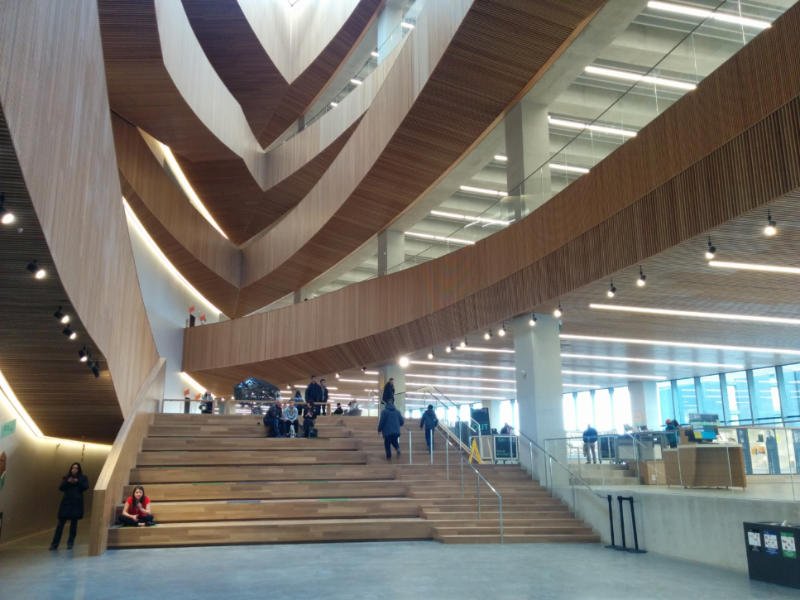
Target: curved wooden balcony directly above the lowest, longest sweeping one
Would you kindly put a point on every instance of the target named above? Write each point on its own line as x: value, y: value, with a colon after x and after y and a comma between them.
x: 418, y: 127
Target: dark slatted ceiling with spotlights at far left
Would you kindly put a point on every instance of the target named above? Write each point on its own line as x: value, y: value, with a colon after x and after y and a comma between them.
x: 41, y: 364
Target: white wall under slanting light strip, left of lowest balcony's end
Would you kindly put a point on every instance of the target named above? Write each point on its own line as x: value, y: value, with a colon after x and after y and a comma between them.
x: 167, y: 301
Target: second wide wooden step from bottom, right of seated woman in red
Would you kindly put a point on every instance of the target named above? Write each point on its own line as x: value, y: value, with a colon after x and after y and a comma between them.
x: 339, y: 508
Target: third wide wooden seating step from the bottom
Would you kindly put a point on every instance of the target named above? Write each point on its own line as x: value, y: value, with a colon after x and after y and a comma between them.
x: 273, y: 490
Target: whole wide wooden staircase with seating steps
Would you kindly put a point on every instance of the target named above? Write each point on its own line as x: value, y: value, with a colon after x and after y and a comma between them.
x: 219, y: 480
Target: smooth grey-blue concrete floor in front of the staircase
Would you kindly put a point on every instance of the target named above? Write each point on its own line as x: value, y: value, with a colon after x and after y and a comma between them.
x: 415, y: 570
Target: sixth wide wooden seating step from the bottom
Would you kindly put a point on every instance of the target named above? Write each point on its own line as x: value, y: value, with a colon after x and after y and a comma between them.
x: 204, y: 444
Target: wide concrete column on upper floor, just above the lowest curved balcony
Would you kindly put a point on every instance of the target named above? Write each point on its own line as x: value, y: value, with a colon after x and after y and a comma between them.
x: 527, y: 148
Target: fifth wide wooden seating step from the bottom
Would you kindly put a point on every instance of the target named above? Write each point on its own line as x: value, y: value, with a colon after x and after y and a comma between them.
x: 251, y: 457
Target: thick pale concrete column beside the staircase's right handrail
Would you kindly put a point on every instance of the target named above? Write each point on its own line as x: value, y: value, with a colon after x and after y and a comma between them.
x: 538, y: 361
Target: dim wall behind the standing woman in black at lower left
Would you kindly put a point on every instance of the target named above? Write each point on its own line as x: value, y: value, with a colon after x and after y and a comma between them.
x: 29, y: 498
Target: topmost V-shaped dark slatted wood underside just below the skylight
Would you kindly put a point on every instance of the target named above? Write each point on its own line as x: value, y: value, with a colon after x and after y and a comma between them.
x: 269, y: 102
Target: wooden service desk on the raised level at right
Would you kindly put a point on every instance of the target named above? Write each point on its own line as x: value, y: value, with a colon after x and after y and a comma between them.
x: 705, y: 465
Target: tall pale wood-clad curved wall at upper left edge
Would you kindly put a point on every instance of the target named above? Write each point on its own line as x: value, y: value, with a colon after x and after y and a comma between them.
x: 53, y: 94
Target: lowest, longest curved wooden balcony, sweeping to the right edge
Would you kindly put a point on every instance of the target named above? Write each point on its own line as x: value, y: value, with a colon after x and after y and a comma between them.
x: 566, y: 244
